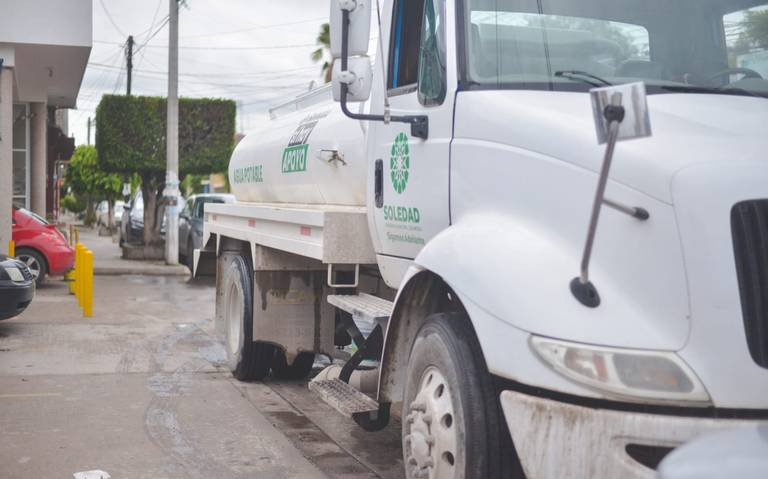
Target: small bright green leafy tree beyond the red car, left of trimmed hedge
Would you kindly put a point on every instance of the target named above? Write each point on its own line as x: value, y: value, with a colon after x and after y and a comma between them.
x: 88, y: 180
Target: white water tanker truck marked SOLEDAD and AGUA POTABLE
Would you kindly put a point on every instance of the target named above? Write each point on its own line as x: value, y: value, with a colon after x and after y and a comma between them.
x: 535, y: 309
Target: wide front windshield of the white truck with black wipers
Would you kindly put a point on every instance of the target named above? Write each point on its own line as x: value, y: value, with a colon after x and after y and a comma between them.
x: 696, y: 46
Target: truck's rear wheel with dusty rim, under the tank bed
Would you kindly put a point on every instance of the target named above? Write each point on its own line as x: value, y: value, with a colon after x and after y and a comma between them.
x: 248, y: 360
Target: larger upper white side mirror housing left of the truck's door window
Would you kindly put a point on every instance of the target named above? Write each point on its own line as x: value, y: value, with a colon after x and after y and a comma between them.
x: 359, y: 26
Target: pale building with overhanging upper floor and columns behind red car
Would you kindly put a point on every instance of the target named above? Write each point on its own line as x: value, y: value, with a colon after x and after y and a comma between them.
x: 44, y: 49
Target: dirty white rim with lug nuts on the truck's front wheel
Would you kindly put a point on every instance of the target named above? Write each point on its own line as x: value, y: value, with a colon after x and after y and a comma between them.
x: 431, y: 439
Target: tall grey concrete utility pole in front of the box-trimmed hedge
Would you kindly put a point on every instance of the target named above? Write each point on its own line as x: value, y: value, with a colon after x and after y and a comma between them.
x: 171, y: 192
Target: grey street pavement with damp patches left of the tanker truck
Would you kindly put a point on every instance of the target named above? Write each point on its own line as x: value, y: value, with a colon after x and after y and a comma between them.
x: 140, y: 391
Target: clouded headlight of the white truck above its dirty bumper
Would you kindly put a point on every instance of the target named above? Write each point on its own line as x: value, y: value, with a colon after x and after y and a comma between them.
x: 631, y: 374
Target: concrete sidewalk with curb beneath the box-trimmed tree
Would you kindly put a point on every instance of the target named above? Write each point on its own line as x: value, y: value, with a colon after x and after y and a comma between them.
x: 108, y: 261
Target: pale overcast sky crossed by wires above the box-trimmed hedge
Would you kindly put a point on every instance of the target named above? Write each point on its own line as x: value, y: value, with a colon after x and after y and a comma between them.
x: 255, y: 52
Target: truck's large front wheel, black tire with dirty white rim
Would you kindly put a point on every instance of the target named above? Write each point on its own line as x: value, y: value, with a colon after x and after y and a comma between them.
x: 450, y: 398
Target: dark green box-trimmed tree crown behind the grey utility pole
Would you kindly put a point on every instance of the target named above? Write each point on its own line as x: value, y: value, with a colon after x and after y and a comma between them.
x: 130, y: 134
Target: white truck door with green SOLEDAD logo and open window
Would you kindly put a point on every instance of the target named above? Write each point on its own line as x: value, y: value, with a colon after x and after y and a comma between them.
x: 412, y: 204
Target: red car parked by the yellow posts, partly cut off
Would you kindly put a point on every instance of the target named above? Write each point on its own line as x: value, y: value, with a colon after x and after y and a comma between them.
x: 40, y: 245
